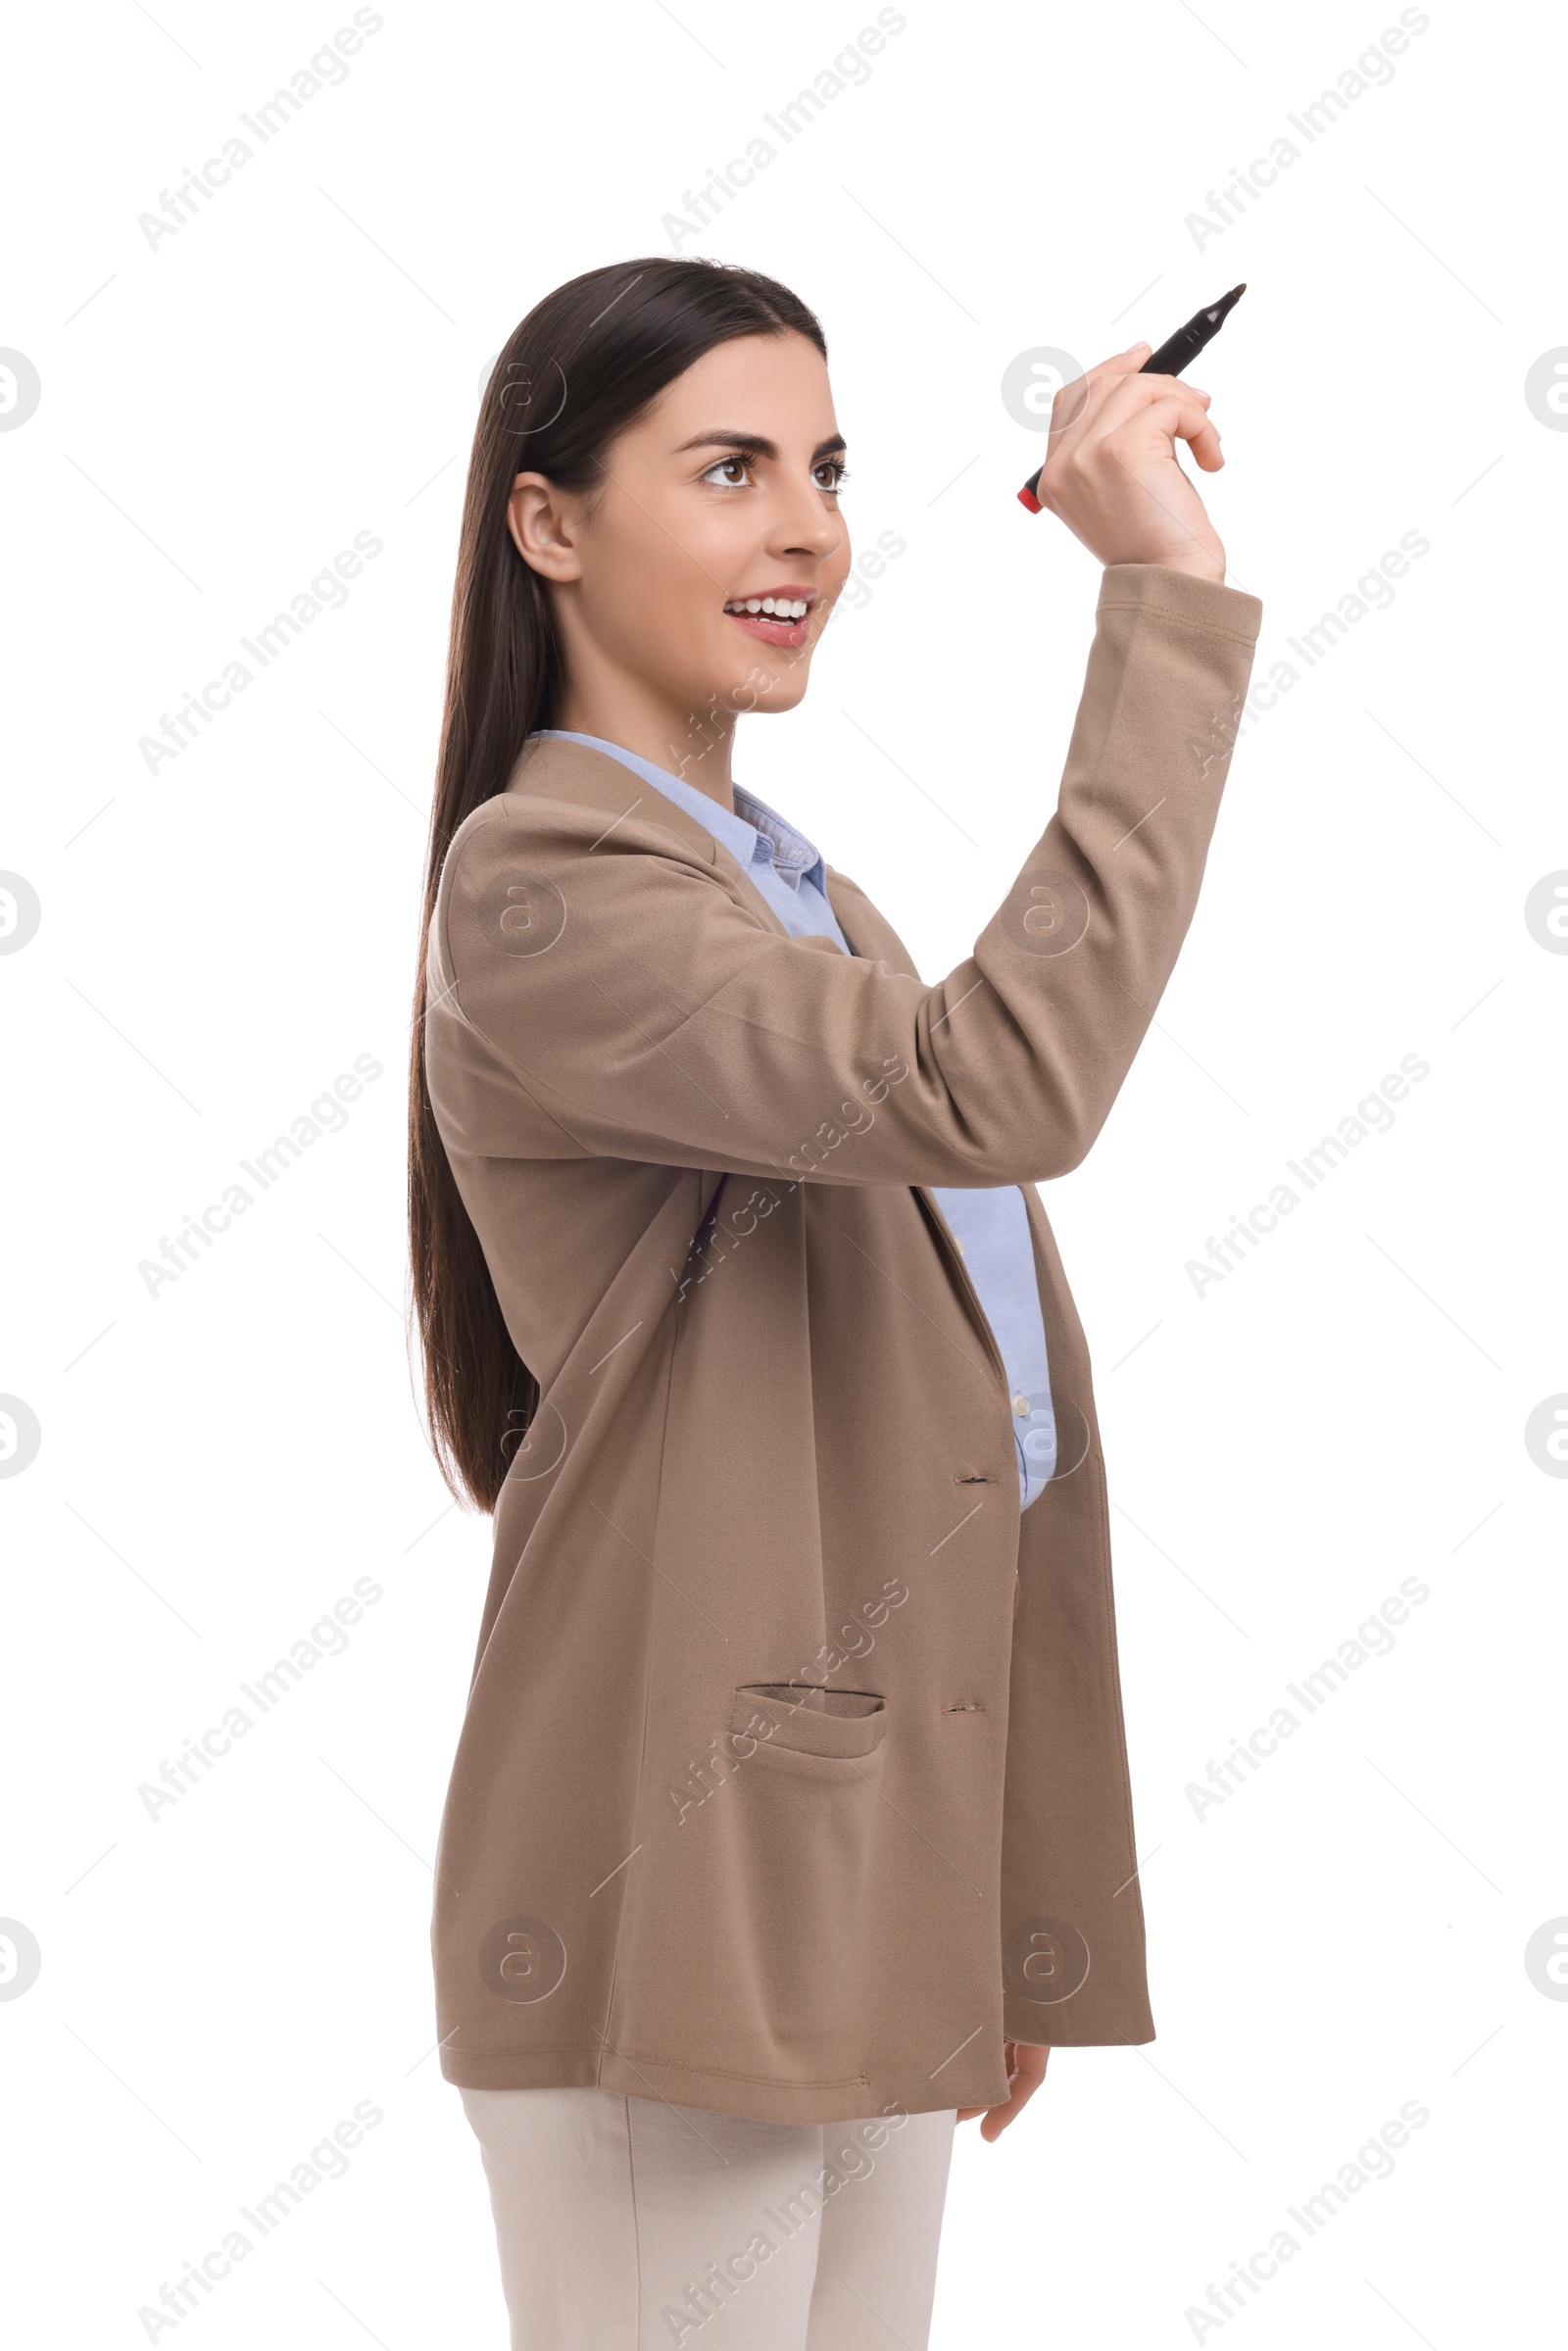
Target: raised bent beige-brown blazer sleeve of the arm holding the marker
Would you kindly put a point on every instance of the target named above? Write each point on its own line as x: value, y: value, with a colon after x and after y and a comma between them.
x: 648, y: 1014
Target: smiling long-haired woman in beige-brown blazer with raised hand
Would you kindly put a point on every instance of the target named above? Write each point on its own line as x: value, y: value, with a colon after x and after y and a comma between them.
x: 791, y: 1809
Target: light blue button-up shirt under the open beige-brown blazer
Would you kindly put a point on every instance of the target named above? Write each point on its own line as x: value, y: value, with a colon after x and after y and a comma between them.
x: 991, y: 1221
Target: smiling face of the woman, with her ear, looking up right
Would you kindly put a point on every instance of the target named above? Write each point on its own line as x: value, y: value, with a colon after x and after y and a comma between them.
x: 725, y: 495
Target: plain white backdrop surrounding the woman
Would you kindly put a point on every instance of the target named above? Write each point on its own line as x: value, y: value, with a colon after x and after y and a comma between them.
x: 220, y: 939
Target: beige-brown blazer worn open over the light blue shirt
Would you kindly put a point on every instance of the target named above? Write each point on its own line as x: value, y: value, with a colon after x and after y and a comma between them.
x: 793, y: 1774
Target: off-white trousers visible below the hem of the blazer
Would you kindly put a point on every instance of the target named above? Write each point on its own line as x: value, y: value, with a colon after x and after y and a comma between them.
x: 629, y: 2225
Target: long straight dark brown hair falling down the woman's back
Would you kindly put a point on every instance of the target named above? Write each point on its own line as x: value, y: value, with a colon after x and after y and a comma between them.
x: 584, y: 366
